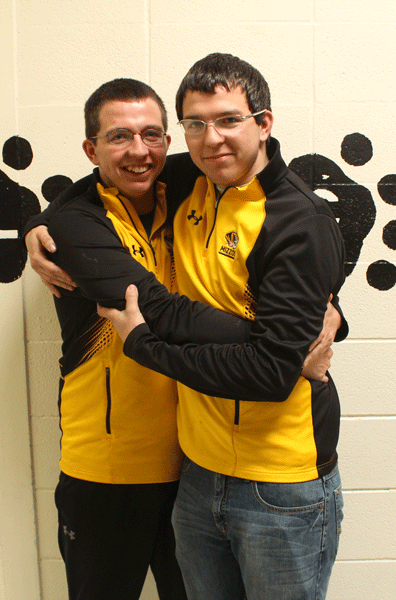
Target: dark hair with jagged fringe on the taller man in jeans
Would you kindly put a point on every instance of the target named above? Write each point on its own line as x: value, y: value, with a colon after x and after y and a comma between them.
x: 227, y: 71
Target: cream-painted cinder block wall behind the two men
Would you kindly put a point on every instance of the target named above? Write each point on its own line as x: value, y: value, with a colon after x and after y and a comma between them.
x: 331, y: 70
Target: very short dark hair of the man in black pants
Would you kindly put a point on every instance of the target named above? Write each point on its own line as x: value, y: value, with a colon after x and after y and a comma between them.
x: 118, y: 89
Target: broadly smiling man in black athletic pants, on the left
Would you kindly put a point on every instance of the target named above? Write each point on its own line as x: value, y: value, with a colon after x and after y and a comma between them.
x: 120, y: 457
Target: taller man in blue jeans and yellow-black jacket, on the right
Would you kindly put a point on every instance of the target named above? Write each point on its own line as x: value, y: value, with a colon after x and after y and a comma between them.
x: 259, y: 506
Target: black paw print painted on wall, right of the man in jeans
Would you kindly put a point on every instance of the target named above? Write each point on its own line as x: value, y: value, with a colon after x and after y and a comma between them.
x: 353, y: 204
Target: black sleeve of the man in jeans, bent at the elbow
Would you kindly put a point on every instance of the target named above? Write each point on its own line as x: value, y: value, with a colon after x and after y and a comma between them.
x: 301, y: 269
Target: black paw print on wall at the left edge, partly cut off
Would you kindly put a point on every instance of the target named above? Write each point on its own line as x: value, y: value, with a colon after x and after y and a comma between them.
x: 17, y: 205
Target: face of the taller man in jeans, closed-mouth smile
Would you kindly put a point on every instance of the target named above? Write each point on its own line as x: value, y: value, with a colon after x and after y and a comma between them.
x: 233, y: 158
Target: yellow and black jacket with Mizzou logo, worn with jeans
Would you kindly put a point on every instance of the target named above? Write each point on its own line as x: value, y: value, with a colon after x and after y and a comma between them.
x: 269, y: 250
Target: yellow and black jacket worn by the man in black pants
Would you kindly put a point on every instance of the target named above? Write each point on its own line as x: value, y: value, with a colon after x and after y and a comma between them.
x: 118, y: 419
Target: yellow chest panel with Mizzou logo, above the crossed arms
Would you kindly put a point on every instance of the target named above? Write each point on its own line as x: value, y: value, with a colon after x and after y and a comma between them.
x: 213, y: 240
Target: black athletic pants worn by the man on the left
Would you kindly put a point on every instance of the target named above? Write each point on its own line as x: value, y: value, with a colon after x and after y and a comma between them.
x: 109, y: 534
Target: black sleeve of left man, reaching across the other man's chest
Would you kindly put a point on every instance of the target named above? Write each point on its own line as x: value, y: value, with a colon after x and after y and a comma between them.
x: 89, y: 249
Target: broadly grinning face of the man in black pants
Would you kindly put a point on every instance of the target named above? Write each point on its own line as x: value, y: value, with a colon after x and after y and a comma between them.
x: 131, y: 169
